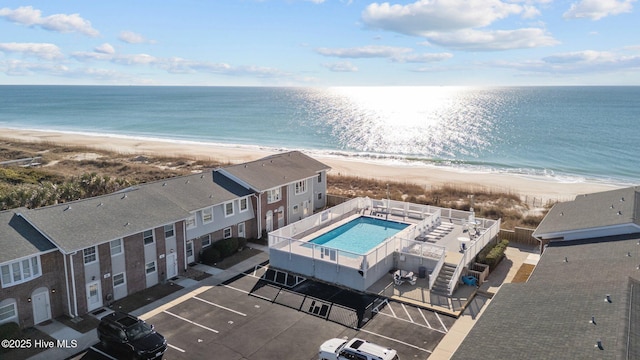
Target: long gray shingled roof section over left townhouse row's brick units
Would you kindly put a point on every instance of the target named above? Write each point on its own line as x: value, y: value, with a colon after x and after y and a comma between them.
x: 79, y: 224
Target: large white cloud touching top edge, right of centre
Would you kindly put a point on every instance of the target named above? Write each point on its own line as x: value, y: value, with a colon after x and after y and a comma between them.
x: 425, y: 16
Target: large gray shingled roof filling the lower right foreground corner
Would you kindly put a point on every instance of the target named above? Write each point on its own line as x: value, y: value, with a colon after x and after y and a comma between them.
x: 549, y: 316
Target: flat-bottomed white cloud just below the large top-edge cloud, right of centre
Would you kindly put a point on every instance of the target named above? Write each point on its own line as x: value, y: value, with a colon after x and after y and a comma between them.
x: 474, y: 40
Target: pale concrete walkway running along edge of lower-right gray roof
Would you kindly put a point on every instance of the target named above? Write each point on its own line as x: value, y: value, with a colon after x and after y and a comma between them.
x: 516, y: 255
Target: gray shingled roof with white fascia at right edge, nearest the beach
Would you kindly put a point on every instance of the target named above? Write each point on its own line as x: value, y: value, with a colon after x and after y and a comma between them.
x: 597, y: 210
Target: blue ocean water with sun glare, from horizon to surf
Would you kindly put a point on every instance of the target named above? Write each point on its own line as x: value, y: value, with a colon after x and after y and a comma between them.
x: 567, y: 134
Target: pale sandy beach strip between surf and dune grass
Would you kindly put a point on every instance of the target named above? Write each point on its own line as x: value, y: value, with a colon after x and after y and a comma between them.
x: 428, y: 176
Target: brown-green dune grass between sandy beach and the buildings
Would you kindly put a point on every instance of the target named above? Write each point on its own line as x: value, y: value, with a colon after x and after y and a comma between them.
x: 64, y: 164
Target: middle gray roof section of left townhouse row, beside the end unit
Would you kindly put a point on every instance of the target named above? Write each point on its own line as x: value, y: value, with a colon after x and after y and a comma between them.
x: 194, y: 192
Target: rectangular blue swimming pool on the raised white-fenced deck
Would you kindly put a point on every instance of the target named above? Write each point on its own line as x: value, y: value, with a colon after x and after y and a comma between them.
x: 359, y: 235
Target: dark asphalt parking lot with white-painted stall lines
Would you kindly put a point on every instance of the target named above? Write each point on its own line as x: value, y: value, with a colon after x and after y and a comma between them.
x: 285, y: 317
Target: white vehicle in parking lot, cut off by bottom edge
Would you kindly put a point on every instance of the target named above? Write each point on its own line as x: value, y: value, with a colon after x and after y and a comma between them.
x: 355, y: 349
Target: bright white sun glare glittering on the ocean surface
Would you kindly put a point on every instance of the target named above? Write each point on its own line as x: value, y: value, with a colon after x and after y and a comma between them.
x: 421, y: 121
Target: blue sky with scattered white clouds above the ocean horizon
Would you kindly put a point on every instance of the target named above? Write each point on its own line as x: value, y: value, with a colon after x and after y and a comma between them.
x: 320, y: 42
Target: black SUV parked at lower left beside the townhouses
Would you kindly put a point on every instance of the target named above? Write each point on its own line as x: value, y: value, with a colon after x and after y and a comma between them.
x: 128, y: 335
